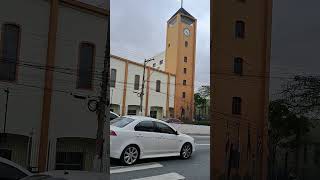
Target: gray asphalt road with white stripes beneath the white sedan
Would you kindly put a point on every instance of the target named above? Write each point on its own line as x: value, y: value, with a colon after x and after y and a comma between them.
x: 195, y: 168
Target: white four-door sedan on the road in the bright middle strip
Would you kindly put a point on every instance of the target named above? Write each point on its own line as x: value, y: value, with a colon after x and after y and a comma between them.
x: 136, y: 137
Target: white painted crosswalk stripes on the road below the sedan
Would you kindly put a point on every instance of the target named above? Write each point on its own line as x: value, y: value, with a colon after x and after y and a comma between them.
x: 141, y: 167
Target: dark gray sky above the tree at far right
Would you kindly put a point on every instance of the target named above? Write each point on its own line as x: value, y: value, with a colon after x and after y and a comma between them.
x: 295, y: 40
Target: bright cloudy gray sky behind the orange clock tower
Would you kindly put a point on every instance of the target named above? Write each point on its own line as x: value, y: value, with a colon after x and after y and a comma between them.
x: 138, y: 30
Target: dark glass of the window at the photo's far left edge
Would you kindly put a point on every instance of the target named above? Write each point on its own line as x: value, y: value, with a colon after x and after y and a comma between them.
x: 10, y: 52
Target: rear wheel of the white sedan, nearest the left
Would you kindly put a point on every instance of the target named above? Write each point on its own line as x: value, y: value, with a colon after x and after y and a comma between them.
x: 130, y: 155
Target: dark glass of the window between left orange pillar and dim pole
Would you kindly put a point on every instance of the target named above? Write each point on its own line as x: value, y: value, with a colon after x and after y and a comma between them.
x: 85, y: 70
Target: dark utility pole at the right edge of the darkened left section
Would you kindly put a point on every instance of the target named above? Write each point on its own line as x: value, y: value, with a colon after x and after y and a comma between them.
x: 103, y: 138
